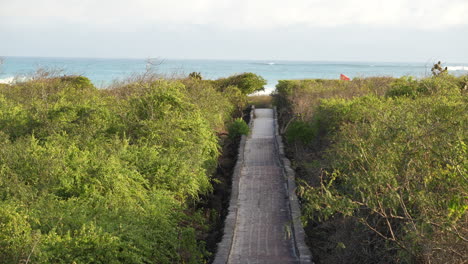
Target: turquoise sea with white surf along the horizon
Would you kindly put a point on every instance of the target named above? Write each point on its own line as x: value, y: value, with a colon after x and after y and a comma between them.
x: 103, y: 71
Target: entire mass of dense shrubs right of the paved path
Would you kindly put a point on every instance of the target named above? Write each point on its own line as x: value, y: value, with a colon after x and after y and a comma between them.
x: 383, y: 167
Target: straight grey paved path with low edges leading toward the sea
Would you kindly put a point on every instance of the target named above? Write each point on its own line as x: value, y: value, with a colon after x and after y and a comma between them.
x: 258, y: 228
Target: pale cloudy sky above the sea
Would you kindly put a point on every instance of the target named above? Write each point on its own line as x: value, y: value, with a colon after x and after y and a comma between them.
x: 336, y: 30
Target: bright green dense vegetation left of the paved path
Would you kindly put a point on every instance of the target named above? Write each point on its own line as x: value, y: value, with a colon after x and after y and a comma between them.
x: 110, y: 175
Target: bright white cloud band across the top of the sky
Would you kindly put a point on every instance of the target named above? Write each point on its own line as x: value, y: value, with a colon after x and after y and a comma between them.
x: 237, y: 14
